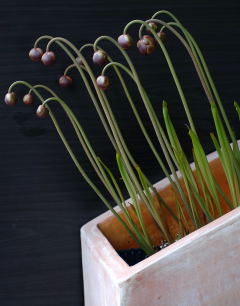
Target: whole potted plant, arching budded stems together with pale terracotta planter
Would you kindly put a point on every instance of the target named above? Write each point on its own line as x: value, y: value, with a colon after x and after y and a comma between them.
x: 178, y: 224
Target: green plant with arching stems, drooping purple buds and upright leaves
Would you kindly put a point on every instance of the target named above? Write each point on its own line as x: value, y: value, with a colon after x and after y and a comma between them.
x: 198, y: 194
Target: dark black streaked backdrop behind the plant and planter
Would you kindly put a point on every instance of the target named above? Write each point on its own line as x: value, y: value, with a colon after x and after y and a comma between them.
x: 44, y: 201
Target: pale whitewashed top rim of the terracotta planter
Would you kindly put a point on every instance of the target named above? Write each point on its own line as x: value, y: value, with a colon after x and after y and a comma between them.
x: 118, y: 267
